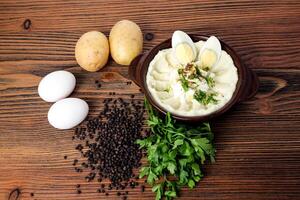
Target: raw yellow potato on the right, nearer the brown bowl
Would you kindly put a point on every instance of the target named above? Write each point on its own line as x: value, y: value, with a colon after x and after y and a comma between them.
x: 126, y: 41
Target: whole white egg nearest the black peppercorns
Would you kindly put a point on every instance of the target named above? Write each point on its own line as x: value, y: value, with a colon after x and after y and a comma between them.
x: 67, y: 113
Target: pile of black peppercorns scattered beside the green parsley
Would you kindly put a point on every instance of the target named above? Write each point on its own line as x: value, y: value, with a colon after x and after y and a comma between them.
x: 107, y: 144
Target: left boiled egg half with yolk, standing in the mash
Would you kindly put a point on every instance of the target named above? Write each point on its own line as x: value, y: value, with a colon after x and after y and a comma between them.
x: 183, y: 47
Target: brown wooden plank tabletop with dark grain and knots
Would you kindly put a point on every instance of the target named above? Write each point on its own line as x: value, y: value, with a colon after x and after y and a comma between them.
x: 258, y: 141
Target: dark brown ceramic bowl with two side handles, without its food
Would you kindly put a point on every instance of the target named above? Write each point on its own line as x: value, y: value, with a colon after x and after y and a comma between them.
x: 246, y: 87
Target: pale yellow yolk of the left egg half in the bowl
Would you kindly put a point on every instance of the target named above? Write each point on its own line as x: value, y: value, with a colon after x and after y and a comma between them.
x: 184, y: 53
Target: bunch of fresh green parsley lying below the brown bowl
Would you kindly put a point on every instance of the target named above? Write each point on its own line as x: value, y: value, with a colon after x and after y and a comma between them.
x: 176, y: 153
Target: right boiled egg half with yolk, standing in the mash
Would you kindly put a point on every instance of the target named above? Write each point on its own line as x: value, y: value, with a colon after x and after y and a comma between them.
x: 210, y: 53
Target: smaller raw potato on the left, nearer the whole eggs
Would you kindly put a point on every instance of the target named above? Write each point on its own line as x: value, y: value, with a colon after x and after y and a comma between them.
x: 92, y: 51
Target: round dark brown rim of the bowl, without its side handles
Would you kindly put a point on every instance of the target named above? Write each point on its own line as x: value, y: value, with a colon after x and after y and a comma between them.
x: 148, y: 57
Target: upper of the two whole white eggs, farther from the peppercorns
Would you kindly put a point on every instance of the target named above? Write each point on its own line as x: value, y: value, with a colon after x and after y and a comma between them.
x: 56, y: 85
